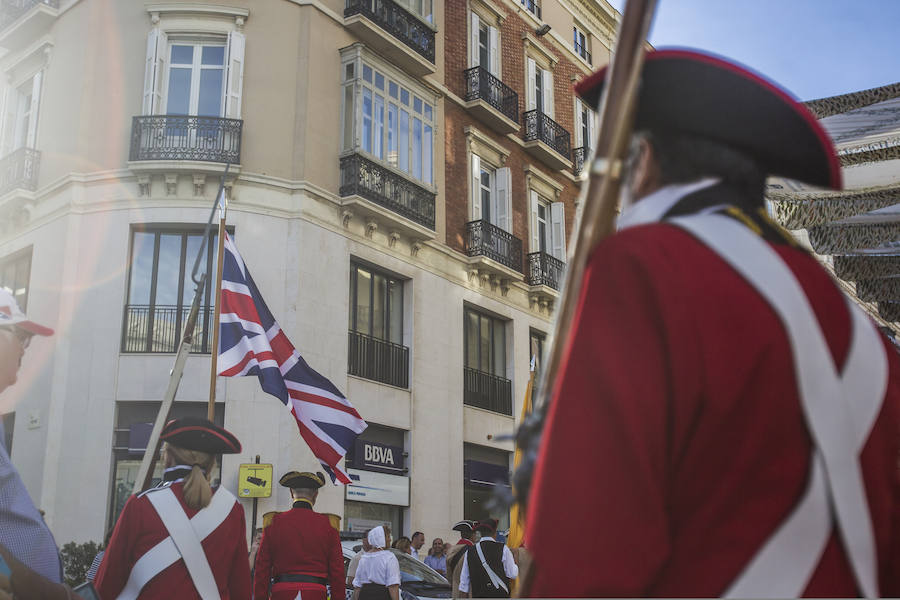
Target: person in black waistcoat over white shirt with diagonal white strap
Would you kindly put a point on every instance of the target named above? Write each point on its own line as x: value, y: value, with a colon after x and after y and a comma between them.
x: 488, y: 566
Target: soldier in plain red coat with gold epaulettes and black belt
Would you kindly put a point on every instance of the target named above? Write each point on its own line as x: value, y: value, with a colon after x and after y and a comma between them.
x: 300, y: 551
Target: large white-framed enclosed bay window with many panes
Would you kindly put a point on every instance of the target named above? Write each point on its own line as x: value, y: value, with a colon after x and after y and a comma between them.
x: 388, y: 119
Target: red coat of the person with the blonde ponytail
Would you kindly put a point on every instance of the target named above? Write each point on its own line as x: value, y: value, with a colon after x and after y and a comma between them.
x: 139, y: 529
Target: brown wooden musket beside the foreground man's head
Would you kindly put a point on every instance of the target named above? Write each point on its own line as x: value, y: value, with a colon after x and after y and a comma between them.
x: 601, y: 193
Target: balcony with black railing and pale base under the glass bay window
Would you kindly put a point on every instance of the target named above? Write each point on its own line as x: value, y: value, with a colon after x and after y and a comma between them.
x: 381, y: 194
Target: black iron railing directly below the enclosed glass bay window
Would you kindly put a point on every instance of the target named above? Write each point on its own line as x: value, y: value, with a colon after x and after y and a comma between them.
x: 376, y: 183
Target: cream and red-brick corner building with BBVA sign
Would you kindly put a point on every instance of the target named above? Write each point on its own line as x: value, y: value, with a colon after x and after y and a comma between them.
x: 402, y: 178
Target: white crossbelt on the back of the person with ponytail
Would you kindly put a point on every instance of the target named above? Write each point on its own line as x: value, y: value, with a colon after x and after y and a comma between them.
x: 184, y: 542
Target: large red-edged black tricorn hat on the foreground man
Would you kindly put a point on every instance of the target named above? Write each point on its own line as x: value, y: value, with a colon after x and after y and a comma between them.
x: 684, y: 91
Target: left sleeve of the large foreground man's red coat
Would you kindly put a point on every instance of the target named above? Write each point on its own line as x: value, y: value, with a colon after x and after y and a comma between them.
x: 602, y: 456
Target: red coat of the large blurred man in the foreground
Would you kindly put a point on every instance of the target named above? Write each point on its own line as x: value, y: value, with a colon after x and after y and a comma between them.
x: 675, y: 444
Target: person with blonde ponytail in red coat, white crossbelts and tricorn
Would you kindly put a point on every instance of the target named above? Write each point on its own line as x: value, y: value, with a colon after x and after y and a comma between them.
x: 181, y: 539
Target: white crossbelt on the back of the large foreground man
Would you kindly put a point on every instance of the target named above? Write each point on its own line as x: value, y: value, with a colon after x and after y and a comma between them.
x: 840, y: 411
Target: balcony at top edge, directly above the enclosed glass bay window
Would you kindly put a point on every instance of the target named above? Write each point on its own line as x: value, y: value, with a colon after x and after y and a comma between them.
x: 391, y: 30
